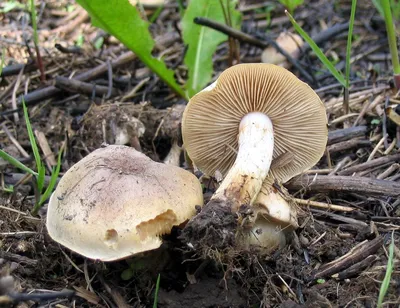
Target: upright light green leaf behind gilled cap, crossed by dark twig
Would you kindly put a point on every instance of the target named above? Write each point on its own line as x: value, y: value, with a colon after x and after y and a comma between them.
x: 203, y: 41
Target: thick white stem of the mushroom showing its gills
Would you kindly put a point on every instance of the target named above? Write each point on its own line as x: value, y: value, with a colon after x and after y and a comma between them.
x: 256, y: 144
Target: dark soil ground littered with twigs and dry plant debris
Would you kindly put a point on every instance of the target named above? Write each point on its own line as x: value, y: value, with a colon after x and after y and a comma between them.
x: 336, y: 258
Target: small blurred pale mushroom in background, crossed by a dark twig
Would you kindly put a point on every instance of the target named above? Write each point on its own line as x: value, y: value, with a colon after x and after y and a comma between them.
x: 290, y: 43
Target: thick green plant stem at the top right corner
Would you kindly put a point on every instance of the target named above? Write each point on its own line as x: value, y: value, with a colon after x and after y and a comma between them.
x: 392, y: 41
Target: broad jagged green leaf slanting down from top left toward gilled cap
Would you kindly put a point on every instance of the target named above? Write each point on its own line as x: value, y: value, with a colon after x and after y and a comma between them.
x: 122, y: 20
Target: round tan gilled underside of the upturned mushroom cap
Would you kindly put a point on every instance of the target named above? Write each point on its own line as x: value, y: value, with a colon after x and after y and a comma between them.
x: 210, y: 123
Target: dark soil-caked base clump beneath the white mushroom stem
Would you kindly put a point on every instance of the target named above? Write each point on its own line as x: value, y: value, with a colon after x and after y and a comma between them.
x: 221, y: 234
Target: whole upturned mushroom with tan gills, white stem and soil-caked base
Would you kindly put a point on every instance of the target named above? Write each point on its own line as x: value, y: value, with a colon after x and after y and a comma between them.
x: 258, y: 123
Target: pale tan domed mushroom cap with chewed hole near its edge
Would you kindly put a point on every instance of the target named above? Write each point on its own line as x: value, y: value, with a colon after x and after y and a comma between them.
x: 117, y: 202
